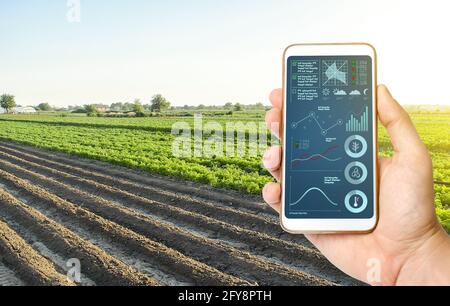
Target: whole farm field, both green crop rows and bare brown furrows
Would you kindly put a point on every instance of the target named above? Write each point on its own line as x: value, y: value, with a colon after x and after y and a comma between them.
x: 109, y: 192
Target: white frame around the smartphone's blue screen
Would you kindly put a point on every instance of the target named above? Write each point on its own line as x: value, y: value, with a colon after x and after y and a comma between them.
x: 304, y: 226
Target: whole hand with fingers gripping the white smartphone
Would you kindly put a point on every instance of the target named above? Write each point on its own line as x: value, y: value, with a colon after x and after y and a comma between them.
x: 408, y: 246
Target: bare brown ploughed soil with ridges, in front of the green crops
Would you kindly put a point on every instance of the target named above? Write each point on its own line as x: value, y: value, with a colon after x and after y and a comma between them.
x: 131, y: 228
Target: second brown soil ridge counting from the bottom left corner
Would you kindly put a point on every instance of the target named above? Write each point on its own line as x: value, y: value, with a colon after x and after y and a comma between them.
x: 99, y: 266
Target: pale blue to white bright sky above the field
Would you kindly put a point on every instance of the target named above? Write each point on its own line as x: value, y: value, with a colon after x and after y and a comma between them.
x: 208, y: 52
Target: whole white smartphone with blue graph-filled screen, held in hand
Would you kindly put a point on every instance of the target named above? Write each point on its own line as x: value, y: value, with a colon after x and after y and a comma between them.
x: 330, y: 149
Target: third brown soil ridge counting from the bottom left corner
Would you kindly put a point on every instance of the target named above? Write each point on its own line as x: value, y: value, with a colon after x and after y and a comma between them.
x: 166, y: 259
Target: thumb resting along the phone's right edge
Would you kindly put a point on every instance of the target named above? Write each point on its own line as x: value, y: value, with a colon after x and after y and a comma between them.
x: 403, y: 134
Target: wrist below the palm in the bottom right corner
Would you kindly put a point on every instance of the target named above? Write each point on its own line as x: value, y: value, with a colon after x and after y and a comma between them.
x: 430, y: 265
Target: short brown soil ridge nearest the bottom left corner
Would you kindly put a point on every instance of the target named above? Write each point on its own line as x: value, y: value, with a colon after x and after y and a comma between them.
x: 29, y: 265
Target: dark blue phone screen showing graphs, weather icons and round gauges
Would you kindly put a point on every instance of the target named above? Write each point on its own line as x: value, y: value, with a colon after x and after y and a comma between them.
x: 329, y: 138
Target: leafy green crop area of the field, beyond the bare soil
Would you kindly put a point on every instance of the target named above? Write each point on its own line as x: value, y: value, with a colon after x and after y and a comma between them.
x: 146, y: 144
